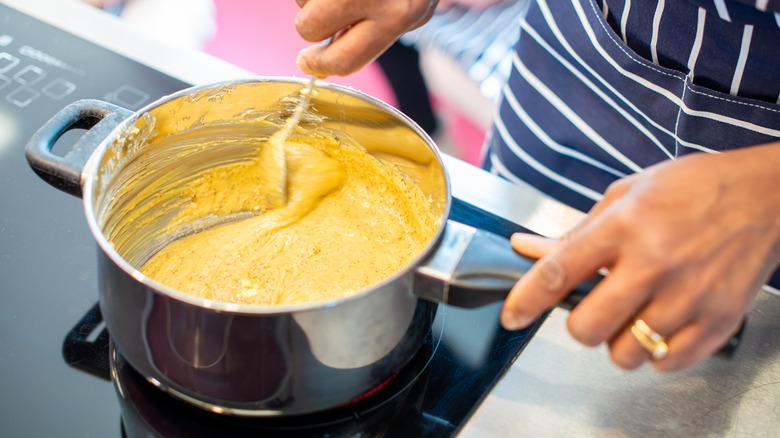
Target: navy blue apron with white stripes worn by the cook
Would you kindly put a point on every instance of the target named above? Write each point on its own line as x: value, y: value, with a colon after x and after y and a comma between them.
x: 600, y: 89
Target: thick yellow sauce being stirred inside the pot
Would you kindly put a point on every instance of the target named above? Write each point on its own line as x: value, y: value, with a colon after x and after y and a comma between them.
x: 351, y: 221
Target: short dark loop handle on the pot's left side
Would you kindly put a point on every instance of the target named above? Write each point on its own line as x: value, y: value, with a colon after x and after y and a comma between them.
x: 64, y: 172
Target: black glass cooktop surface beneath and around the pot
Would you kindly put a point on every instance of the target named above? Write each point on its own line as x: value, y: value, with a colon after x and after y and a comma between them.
x: 54, y: 354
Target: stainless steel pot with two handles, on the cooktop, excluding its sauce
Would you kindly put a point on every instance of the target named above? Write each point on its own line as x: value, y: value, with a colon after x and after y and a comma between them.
x: 256, y: 360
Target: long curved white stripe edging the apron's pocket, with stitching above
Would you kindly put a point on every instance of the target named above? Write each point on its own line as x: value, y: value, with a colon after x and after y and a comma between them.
x: 666, y: 93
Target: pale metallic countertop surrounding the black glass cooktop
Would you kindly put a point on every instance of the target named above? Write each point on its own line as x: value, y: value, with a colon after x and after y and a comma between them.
x: 556, y: 387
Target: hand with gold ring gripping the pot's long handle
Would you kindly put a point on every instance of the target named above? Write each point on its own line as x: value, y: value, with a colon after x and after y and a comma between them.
x: 687, y: 244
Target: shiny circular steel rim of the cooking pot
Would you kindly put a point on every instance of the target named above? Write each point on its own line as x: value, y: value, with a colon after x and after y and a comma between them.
x: 88, y: 186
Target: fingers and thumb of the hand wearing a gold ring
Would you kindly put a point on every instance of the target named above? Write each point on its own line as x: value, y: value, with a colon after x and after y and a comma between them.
x: 691, y: 330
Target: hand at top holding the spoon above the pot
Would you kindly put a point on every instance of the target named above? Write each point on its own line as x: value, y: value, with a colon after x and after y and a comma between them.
x: 365, y: 30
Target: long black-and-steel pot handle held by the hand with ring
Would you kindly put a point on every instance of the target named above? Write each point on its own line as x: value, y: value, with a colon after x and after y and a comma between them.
x: 473, y: 267
